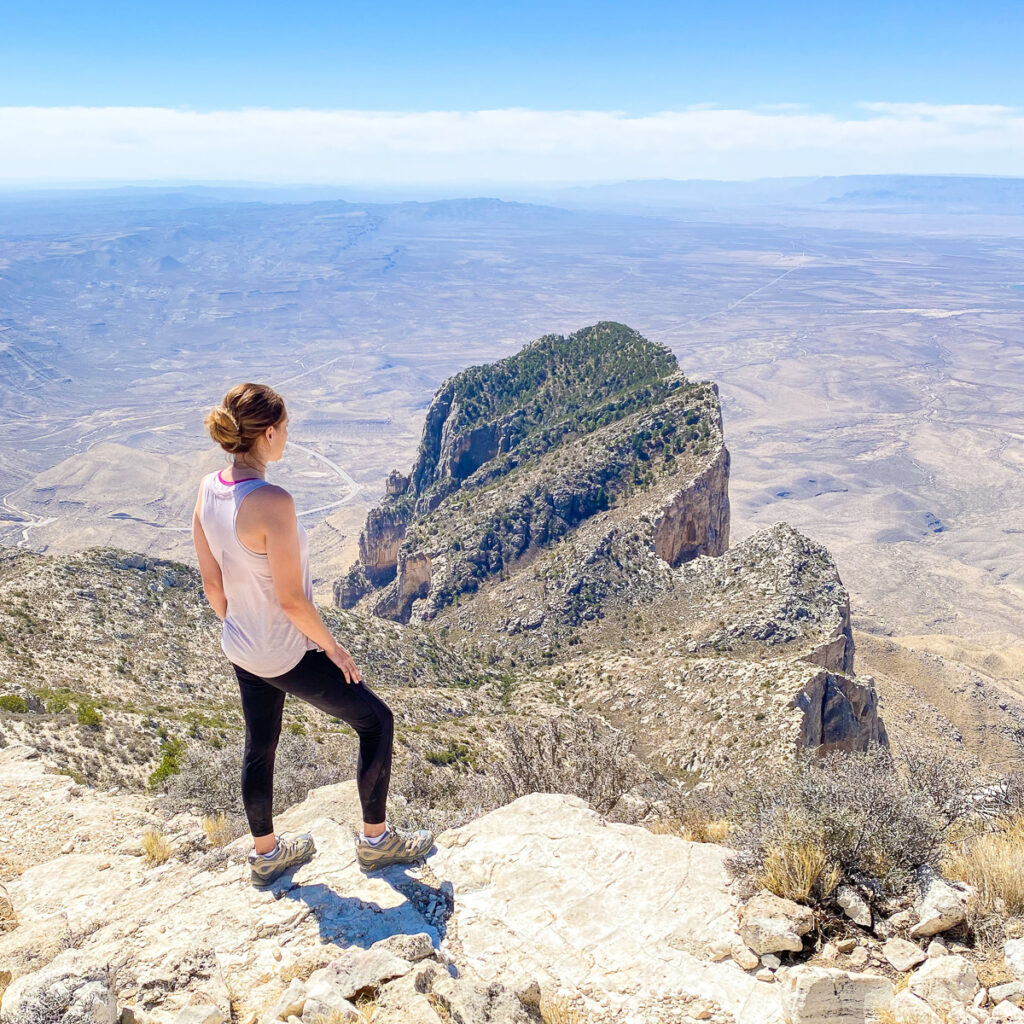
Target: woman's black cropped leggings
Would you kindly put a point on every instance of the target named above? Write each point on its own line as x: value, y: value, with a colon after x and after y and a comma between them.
x: 320, y: 682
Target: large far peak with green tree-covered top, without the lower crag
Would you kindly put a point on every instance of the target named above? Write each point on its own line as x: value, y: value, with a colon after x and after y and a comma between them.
x: 517, y: 455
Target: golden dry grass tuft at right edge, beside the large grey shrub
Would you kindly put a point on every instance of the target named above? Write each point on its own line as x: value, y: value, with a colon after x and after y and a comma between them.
x: 992, y: 863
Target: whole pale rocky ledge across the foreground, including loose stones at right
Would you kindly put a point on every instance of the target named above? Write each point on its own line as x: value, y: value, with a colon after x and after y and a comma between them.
x: 538, y: 906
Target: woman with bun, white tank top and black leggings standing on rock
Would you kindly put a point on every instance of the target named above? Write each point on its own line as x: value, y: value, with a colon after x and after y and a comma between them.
x: 253, y: 556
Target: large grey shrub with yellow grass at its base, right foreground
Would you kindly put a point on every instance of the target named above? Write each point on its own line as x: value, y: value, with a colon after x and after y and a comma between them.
x: 871, y: 818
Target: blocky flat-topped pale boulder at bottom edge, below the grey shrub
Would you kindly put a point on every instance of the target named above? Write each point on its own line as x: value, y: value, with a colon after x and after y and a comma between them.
x: 826, y: 996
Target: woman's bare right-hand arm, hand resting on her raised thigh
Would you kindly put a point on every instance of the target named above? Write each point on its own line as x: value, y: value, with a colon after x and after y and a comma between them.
x: 286, y: 571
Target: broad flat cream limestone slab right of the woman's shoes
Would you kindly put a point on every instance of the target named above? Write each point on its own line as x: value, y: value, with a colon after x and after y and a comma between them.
x: 548, y: 889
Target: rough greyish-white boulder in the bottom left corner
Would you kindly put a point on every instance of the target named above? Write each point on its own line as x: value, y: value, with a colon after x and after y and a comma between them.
x: 71, y: 989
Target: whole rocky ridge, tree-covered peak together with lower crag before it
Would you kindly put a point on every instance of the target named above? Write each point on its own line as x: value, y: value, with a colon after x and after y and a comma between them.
x: 572, y: 548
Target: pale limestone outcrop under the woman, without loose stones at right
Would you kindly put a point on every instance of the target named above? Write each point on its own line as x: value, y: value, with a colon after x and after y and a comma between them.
x: 540, y: 899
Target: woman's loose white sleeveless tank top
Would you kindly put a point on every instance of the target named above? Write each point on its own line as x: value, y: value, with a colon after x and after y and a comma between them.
x: 257, y: 634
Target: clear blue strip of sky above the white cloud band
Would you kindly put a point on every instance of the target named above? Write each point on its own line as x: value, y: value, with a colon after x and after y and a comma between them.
x: 643, y: 57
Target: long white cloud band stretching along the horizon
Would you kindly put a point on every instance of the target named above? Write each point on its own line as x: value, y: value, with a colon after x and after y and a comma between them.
x: 135, y: 144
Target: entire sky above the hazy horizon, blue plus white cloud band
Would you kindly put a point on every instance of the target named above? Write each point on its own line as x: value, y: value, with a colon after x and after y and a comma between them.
x: 554, y: 93
